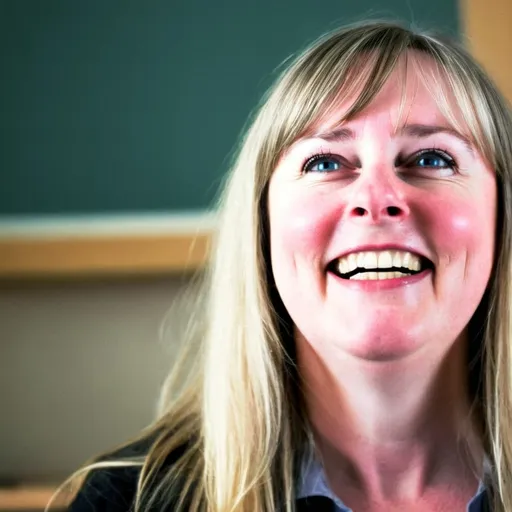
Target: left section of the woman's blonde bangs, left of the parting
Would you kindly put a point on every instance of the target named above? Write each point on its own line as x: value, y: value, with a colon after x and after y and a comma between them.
x: 312, y: 88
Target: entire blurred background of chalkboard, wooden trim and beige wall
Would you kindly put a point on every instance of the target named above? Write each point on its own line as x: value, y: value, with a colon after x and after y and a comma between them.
x: 118, y: 120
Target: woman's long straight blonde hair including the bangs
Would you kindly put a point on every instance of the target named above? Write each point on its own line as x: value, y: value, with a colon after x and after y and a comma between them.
x: 239, y: 425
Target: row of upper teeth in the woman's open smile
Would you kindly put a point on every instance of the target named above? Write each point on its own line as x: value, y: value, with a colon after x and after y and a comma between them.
x: 379, y: 260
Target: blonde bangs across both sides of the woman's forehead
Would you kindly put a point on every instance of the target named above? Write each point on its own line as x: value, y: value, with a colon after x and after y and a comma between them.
x: 348, y: 65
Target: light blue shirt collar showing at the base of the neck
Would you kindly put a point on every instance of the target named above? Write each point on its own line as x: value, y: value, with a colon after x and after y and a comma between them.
x: 314, y: 483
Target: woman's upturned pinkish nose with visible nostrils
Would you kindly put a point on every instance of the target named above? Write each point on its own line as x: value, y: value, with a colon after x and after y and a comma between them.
x: 378, y: 197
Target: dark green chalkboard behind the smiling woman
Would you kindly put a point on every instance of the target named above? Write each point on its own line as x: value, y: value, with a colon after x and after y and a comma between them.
x: 136, y: 106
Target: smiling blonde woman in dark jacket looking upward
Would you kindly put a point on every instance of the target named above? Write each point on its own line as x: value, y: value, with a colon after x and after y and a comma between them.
x: 355, y: 344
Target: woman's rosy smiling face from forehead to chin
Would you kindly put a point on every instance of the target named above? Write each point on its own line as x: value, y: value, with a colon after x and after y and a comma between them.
x: 382, y: 228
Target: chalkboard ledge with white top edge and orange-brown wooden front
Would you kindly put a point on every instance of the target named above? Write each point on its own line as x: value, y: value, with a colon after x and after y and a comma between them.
x: 104, y: 246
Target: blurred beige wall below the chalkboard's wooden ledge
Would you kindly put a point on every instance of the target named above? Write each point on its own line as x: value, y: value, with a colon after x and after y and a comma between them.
x: 80, y: 368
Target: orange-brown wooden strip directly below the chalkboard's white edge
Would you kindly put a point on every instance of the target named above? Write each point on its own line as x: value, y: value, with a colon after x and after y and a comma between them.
x: 98, y: 256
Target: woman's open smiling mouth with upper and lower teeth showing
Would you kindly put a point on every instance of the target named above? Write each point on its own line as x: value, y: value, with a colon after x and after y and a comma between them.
x: 373, y: 265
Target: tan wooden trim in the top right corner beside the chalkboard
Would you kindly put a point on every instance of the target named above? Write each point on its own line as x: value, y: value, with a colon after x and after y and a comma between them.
x: 487, y: 25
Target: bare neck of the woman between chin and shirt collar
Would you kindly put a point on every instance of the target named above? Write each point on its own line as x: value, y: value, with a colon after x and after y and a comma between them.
x: 391, y: 429
